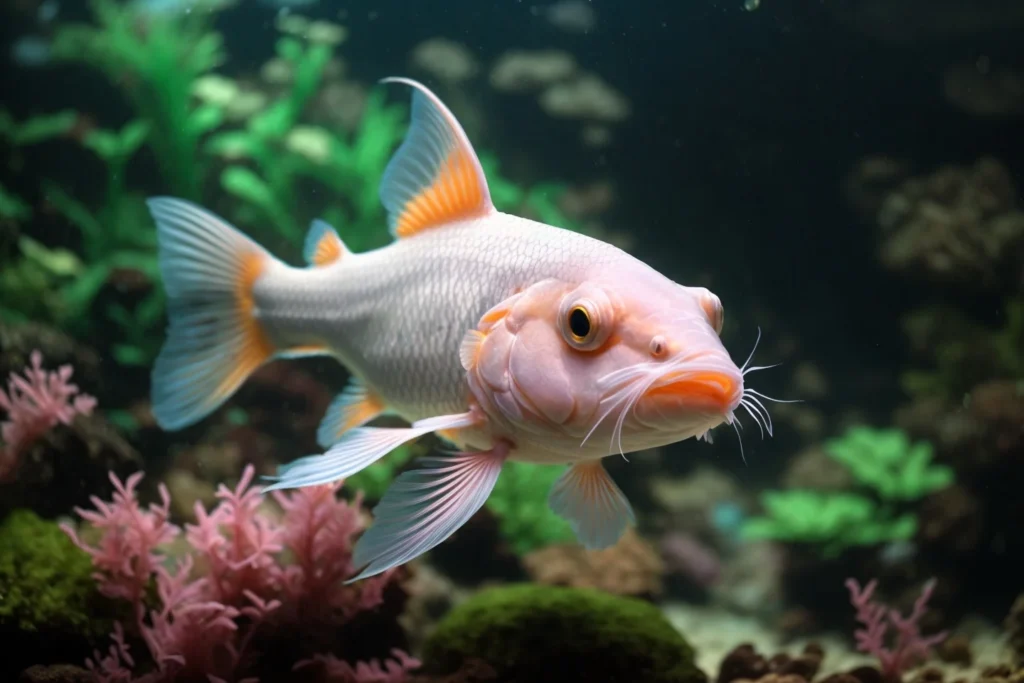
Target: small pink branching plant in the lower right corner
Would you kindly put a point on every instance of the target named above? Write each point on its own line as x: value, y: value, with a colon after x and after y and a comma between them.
x: 909, y: 648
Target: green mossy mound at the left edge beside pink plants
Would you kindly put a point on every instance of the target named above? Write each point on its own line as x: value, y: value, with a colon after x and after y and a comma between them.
x: 46, y: 581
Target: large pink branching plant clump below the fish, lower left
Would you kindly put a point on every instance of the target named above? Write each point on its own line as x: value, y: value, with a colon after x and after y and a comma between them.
x: 245, y: 573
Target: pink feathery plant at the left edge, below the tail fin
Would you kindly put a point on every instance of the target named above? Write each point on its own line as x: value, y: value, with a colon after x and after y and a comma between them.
x: 34, y: 405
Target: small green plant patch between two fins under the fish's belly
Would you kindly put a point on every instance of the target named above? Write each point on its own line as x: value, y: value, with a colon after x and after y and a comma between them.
x: 520, y: 500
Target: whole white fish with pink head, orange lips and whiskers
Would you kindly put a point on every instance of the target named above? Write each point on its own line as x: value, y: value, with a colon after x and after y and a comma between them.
x: 507, y: 338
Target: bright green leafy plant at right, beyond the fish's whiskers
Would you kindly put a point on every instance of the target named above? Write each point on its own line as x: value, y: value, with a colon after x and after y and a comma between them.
x: 883, y: 461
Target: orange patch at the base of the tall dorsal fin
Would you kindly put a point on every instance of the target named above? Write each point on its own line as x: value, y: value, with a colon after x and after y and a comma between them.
x: 456, y: 195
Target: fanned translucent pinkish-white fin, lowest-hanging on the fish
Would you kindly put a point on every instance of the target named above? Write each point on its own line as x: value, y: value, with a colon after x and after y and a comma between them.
x: 426, y: 506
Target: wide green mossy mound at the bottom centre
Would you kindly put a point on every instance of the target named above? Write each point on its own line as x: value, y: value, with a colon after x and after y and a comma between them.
x: 531, y: 633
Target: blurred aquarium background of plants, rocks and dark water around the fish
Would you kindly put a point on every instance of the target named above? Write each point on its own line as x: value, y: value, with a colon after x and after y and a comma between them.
x: 845, y: 176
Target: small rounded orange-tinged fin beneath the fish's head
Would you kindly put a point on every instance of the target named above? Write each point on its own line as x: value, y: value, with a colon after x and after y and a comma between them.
x: 595, y: 507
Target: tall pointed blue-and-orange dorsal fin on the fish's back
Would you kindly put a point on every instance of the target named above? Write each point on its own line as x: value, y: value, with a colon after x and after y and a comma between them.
x: 435, y: 178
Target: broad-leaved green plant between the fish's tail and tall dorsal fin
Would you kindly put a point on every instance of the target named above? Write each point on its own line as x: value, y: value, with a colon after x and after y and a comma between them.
x: 274, y: 154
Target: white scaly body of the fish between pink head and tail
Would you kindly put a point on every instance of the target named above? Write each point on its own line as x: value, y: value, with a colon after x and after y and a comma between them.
x: 397, y: 316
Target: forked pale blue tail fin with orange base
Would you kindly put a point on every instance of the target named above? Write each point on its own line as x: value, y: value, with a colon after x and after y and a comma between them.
x: 214, y: 341
